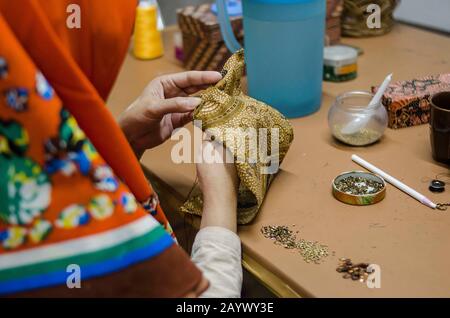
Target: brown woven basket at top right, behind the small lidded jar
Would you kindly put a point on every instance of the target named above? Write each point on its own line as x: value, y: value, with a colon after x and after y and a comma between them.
x: 354, y: 17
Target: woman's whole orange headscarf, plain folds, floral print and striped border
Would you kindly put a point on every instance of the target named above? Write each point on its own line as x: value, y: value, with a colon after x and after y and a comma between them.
x: 60, y: 202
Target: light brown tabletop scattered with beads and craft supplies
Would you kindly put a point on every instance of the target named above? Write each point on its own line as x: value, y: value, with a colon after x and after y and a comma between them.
x: 408, y: 240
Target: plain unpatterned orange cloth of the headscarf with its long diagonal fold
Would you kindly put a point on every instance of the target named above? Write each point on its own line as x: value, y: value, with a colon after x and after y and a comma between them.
x: 46, y: 44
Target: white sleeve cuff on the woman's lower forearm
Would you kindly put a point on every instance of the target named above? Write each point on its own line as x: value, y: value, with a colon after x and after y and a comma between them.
x: 217, y: 252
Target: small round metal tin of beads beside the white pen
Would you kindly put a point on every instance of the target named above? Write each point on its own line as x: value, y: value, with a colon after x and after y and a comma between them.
x: 363, y: 199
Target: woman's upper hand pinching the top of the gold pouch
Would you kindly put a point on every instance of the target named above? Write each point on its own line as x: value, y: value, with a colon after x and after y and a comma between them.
x: 163, y: 106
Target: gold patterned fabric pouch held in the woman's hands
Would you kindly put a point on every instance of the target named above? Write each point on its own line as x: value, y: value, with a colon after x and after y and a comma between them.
x: 231, y: 117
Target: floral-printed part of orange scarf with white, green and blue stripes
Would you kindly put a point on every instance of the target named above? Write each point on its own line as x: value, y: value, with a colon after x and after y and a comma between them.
x: 60, y: 202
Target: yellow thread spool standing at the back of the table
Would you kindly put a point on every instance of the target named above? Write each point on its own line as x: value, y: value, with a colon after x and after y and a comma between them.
x: 147, y: 38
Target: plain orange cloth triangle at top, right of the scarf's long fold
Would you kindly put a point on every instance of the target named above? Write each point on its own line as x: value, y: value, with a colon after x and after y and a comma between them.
x: 101, y: 43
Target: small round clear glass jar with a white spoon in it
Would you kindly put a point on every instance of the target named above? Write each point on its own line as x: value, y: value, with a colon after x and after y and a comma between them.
x: 353, y: 122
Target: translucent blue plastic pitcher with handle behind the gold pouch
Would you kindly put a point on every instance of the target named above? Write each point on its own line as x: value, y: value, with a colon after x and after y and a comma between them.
x: 283, y: 51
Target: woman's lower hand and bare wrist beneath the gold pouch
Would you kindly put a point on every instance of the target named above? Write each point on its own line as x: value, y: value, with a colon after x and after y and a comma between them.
x: 219, y: 184
